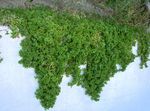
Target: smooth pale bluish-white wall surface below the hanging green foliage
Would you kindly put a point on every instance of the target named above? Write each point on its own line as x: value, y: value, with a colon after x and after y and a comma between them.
x: 126, y: 91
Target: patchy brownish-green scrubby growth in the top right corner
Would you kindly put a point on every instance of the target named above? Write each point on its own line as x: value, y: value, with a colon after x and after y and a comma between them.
x: 131, y: 12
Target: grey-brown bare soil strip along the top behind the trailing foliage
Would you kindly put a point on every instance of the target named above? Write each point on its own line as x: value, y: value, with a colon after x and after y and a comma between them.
x: 77, y: 5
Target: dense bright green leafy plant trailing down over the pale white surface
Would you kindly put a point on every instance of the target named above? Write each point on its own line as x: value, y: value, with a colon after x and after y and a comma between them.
x: 56, y: 43
